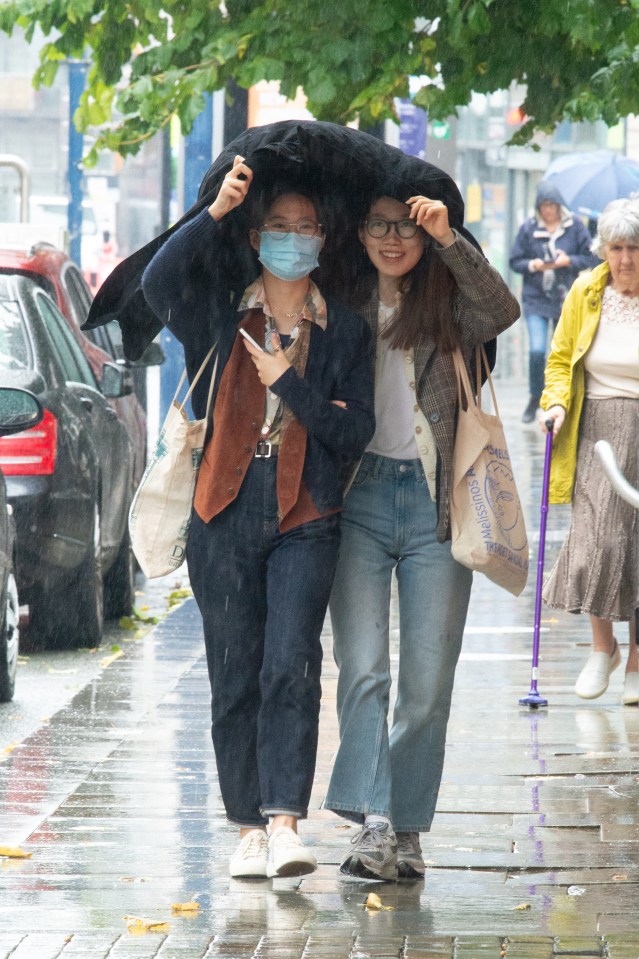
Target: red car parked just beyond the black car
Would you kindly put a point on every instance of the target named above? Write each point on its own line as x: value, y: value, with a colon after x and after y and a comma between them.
x: 62, y: 279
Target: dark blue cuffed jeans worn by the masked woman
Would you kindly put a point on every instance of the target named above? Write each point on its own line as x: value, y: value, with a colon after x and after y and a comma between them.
x: 263, y: 596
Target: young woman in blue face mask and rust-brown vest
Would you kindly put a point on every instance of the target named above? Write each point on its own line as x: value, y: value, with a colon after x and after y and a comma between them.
x: 289, y: 414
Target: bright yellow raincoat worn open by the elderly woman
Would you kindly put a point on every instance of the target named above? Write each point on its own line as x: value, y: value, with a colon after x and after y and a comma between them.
x: 565, y: 373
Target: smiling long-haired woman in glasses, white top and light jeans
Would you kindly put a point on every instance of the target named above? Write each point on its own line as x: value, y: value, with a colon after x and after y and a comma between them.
x: 424, y: 290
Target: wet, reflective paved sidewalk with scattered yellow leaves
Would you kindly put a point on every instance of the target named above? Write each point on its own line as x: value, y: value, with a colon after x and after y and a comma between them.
x: 534, y: 850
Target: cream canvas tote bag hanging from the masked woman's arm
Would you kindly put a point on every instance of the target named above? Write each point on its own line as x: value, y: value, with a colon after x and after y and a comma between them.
x: 160, y: 514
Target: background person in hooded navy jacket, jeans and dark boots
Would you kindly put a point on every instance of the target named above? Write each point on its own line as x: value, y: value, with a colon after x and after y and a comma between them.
x: 550, y: 250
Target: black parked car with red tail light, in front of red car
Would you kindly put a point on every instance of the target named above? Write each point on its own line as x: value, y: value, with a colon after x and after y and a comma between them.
x: 69, y: 480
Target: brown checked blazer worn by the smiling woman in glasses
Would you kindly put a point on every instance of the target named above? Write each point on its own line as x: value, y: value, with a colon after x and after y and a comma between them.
x: 484, y: 307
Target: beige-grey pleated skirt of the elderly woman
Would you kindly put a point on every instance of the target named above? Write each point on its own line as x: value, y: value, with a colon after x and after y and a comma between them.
x: 596, y: 570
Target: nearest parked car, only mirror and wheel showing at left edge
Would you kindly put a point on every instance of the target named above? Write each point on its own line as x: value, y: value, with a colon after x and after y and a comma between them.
x: 19, y: 410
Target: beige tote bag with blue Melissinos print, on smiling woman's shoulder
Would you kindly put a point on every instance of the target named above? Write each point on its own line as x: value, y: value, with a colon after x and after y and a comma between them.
x: 487, y: 521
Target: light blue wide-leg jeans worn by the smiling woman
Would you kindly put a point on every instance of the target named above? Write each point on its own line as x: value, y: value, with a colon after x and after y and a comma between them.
x: 389, y: 523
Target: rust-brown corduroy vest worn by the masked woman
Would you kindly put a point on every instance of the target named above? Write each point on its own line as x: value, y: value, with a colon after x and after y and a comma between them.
x: 237, y: 420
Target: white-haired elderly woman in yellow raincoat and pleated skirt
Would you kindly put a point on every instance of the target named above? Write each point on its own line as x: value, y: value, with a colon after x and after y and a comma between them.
x: 592, y: 393
